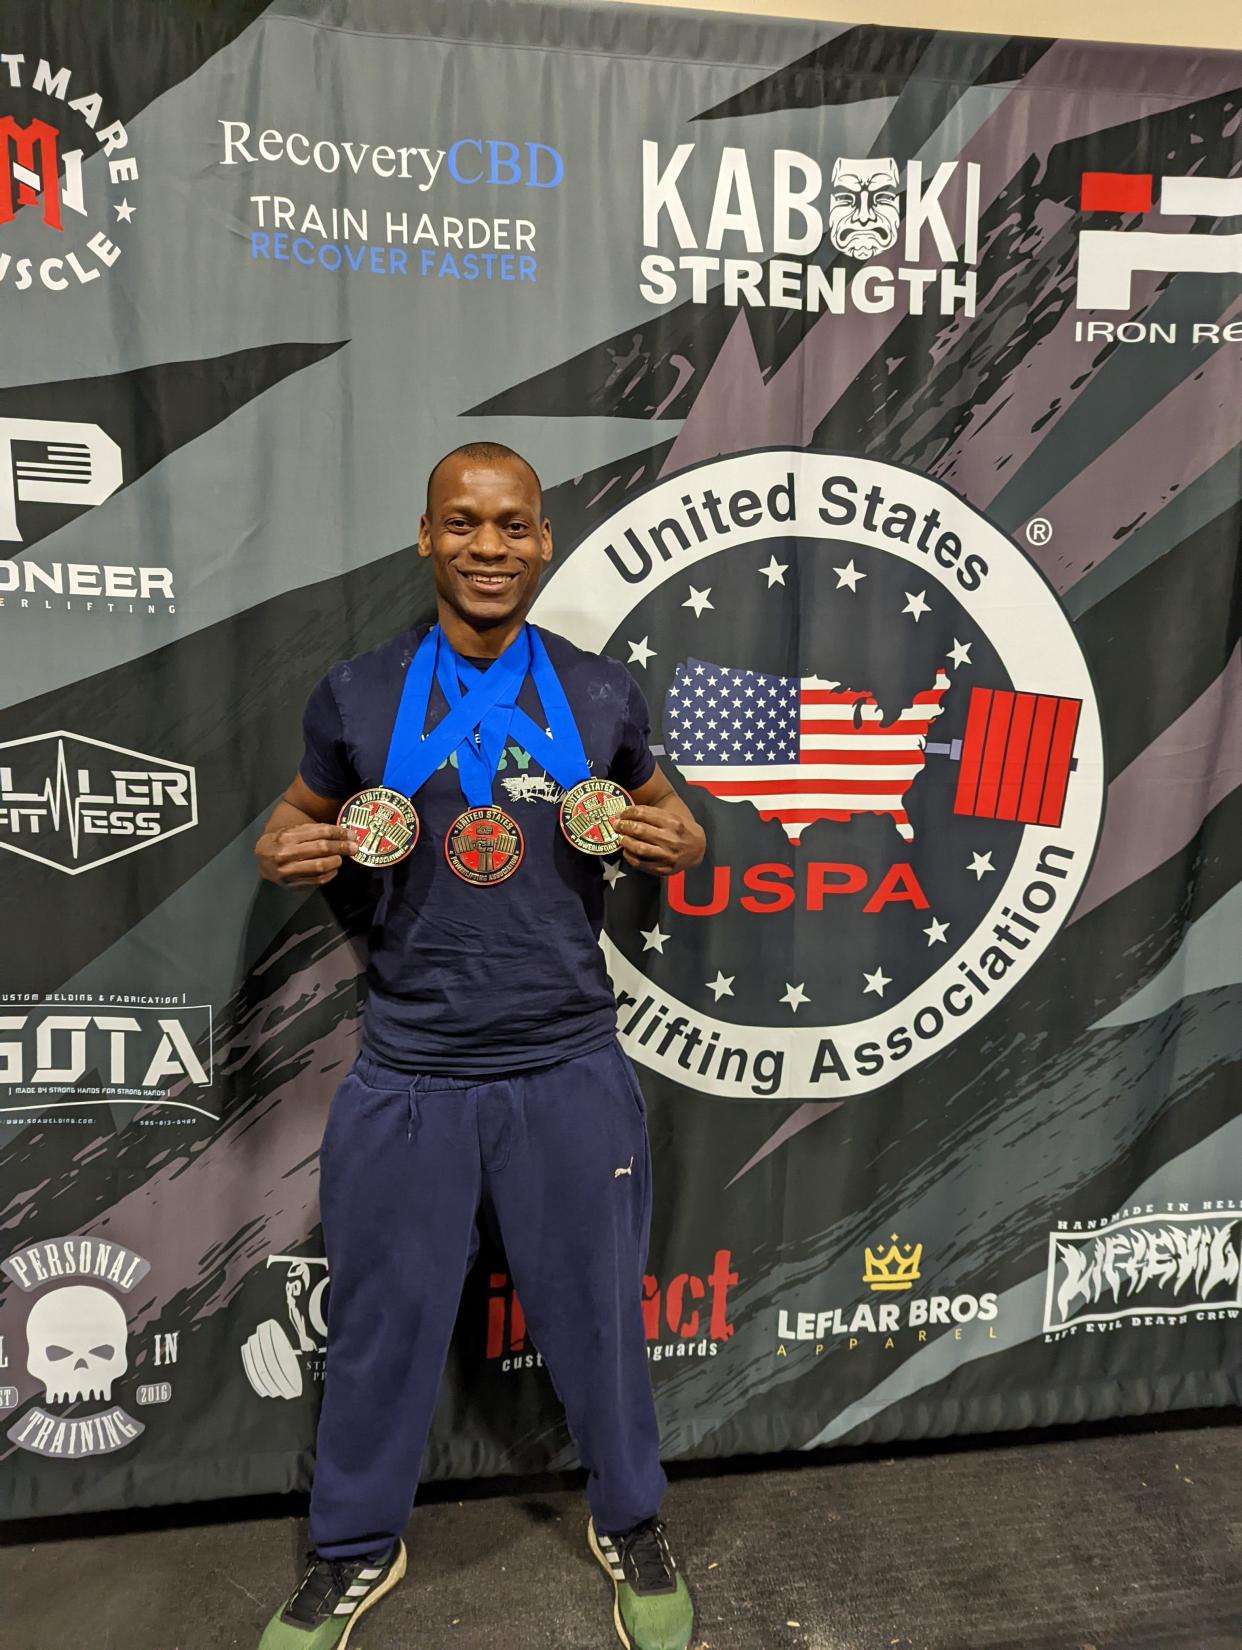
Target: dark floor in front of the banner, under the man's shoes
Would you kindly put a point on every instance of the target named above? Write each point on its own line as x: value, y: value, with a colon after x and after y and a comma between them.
x: 1108, y: 1540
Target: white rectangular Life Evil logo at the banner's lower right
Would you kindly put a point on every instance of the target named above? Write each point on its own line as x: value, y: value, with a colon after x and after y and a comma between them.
x: 1144, y: 1270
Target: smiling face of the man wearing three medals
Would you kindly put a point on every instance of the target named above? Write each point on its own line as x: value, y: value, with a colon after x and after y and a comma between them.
x: 486, y: 539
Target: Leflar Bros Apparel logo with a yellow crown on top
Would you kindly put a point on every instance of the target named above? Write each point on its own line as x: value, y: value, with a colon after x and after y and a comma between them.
x: 892, y: 1273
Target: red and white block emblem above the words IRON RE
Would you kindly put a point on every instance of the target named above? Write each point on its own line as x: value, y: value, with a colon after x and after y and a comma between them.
x: 1109, y: 260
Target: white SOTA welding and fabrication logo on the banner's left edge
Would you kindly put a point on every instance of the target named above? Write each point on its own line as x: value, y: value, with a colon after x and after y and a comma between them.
x: 52, y: 1057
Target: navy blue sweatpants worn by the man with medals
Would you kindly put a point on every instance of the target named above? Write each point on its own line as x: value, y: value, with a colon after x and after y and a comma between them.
x: 405, y: 1171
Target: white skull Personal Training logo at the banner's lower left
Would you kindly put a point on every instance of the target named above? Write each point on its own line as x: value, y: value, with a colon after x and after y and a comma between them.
x: 78, y: 1346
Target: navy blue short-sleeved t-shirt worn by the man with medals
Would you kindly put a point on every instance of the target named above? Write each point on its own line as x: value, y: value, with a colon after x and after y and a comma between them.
x: 482, y: 981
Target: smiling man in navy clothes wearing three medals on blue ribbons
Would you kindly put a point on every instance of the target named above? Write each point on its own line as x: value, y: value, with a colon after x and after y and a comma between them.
x: 491, y: 1080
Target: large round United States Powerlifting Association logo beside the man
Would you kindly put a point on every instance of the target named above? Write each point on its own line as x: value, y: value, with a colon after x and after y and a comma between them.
x: 880, y: 712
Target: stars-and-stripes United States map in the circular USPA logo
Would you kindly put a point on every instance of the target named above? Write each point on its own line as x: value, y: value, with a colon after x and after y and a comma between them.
x: 797, y: 748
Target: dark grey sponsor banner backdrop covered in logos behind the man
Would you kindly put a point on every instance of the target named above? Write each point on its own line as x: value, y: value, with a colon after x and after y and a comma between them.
x: 888, y: 394
